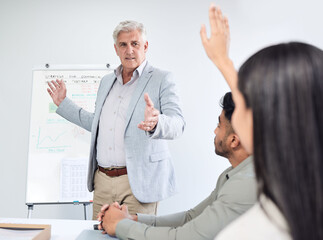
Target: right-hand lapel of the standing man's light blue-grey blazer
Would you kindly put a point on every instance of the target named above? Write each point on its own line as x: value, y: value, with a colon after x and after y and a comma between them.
x: 142, y: 82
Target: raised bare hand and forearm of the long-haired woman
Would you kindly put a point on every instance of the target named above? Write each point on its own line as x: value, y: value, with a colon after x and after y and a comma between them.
x: 217, y: 46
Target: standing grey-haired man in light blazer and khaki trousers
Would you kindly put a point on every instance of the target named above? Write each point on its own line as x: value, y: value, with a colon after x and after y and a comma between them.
x: 129, y: 161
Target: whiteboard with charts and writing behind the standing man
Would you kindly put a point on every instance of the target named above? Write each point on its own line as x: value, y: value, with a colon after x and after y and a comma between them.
x: 59, y: 150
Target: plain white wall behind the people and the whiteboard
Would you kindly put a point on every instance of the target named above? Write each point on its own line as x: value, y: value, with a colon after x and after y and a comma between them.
x: 79, y: 32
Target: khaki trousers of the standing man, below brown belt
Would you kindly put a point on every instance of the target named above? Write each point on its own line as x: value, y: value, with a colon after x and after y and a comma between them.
x: 117, y: 189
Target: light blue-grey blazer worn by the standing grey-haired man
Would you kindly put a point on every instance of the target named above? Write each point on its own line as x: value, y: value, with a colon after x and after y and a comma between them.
x: 149, y: 165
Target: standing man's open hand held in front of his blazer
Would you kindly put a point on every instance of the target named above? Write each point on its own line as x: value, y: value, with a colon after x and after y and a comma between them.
x: 151, y: 115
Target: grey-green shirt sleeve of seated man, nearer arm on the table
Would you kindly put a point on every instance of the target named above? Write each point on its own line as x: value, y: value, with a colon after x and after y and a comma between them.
x: 204, y: 221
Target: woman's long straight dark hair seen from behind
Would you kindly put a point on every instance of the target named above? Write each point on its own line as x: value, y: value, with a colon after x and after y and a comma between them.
x: 283, y: 86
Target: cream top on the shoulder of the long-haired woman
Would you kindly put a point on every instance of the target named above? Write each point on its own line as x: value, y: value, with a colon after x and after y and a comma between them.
x: 262, y: 221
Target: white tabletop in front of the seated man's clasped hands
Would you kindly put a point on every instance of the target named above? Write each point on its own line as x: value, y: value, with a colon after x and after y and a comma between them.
x: 63, y: 229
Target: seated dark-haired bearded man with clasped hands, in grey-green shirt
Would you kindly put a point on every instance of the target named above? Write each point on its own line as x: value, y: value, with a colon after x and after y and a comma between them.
x: 234, y: 194
